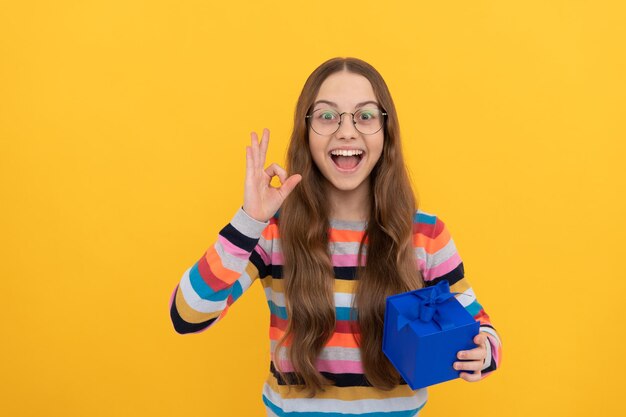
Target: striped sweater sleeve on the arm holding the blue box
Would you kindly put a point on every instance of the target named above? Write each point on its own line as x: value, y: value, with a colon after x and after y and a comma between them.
x: 441, y: 261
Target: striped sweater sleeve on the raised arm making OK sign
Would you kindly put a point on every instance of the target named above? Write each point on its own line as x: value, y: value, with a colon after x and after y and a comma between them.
x: 225, y: 271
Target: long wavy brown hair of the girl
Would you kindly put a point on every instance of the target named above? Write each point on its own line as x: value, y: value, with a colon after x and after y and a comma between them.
x: 391, y: 265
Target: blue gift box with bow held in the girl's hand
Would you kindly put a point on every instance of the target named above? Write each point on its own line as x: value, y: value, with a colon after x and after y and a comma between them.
x: 423, y: 332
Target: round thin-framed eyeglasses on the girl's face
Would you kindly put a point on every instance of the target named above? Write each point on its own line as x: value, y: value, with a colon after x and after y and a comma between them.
x: 327, y: 121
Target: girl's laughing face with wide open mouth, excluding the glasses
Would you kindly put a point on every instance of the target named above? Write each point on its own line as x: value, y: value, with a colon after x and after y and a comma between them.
x: 346, y: 158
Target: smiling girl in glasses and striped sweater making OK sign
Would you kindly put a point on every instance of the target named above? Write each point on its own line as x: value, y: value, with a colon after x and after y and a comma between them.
x: 347, y: 235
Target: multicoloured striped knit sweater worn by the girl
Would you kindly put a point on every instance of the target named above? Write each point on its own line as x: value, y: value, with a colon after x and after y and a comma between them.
x: 247, y: 250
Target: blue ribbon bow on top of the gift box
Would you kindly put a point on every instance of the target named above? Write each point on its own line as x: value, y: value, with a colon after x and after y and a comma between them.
x: 428, y: 307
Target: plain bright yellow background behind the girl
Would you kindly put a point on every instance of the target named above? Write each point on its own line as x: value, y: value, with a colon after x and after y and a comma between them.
x: 123, y: 126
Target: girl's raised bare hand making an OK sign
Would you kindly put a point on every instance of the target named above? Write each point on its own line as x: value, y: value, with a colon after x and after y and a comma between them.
x: 261, y: 200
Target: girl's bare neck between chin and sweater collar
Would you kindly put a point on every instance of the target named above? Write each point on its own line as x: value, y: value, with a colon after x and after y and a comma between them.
x: 352, y: 205
